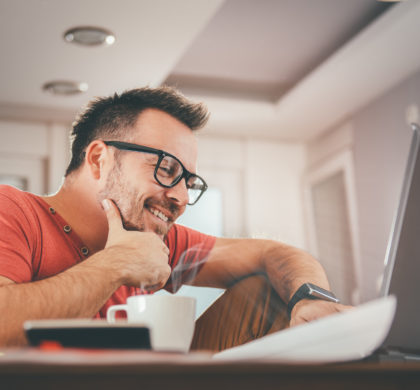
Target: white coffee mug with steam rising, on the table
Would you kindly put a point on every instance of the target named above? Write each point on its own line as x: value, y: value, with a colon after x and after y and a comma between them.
x: 170, y: 319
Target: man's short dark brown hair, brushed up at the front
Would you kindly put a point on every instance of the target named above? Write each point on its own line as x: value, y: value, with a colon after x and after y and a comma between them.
x: 114, y: 115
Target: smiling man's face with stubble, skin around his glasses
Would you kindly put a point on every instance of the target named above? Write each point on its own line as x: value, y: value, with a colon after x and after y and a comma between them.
x: 143, y: 203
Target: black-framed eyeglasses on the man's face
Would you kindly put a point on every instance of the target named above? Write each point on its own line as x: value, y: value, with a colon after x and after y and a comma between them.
x: 169, y: 171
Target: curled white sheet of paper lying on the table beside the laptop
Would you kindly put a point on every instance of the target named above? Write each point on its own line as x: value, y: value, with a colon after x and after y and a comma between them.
x: 349, y: 335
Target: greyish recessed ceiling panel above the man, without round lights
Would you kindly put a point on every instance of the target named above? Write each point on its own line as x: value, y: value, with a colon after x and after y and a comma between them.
x: 260, y: 49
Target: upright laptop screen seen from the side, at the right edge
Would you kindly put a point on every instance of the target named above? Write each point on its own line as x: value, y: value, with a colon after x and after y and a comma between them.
x: 402, y: 271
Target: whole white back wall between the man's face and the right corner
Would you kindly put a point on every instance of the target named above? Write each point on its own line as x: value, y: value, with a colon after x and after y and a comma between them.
x: 261, y: 183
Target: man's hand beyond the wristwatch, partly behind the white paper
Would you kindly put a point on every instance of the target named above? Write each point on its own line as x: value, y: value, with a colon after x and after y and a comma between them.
x: 308, y: 310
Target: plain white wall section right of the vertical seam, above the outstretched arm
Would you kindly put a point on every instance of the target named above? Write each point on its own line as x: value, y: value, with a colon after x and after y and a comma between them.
x: 273, y: 189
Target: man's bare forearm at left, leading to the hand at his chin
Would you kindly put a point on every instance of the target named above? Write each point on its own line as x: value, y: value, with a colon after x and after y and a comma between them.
x: 78, y: 292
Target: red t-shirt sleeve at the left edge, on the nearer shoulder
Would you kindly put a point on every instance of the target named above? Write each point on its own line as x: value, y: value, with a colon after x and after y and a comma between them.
x: 15, y: 241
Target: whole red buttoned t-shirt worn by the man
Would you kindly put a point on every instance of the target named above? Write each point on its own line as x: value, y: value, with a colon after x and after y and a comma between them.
x: 36, y: 243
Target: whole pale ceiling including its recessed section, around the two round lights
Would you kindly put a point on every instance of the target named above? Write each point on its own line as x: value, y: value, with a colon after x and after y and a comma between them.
x: 283, y: 69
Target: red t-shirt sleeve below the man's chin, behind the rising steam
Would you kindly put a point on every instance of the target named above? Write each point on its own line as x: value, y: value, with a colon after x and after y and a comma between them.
x: 189, y: 250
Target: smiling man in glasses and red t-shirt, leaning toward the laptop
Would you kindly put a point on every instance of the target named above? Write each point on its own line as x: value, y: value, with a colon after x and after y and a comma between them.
x: 109, y: 231
